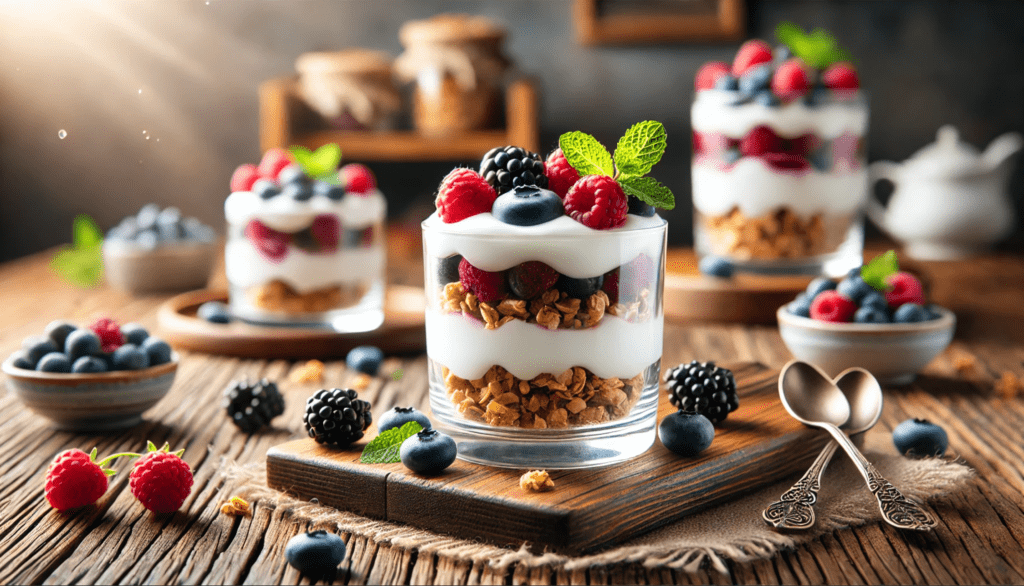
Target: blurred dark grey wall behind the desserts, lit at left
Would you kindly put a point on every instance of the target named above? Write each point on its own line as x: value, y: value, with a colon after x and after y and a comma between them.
x: 159, y: 102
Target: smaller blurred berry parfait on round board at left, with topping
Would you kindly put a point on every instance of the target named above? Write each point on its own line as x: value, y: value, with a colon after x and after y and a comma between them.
x: 306, y: 252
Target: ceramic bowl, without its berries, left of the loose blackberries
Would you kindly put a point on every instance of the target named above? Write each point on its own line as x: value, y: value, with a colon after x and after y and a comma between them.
x: 92, y: 402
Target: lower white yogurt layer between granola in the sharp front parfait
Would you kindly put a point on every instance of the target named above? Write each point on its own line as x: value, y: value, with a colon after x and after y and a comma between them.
x: 613, y: 349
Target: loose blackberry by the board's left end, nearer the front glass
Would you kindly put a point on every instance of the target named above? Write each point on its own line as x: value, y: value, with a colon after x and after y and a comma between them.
x: 336, y: 416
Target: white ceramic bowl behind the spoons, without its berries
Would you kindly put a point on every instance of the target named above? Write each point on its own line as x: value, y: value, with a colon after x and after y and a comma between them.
x: 893, y: 353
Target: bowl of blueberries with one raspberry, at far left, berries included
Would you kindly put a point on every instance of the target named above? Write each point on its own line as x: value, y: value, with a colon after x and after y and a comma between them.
x: 93, y: 379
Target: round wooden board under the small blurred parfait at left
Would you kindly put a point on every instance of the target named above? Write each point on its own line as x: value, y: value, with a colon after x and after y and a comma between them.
x: 402, y: 332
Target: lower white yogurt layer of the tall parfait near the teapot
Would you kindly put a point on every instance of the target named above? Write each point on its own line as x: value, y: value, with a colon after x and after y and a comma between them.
x: 756, y: 189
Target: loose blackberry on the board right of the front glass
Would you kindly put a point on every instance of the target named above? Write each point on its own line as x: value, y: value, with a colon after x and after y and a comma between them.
x: 703, y: 389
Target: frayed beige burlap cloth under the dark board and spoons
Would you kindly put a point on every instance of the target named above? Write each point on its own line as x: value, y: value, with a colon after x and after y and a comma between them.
x: 732, y: 531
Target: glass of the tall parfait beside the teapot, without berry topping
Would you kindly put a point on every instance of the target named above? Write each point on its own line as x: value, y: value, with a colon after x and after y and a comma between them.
x: 781, y: 189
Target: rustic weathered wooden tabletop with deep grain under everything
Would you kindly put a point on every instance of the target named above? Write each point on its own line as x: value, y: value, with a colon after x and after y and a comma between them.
x: 980, y: 538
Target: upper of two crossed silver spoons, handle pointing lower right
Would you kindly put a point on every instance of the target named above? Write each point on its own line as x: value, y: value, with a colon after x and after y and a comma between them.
x: 814, y: 400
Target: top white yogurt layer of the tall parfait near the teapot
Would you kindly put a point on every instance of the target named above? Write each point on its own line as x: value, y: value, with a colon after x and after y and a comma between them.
x: 713, y: 112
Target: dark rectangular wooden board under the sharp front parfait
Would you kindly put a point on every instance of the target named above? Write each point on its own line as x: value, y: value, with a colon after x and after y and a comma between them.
x: 588, y: 510
